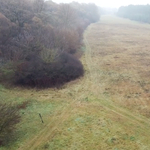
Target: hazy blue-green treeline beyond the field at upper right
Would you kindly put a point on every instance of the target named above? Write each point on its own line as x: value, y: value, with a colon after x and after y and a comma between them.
x: 135, y: 12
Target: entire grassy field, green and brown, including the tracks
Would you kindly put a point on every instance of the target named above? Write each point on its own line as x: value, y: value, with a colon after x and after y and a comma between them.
x: 107, y: 109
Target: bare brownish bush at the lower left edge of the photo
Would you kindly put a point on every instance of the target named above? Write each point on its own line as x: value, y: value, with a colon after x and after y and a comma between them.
x: 8, y: 121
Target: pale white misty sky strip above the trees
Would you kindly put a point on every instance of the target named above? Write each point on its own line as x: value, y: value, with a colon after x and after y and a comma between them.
x: 107, y: 3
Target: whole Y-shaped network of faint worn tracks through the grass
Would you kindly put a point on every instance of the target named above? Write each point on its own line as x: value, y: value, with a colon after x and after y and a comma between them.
x: 50, y: 129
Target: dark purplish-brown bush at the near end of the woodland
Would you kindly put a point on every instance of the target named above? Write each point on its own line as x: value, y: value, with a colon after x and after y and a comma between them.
x: 37, y: 73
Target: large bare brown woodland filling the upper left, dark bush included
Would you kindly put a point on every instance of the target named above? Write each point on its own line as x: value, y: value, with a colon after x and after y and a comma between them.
x: 39, y: 38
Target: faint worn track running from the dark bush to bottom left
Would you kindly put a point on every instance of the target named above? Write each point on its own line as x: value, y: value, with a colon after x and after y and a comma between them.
x: 49, y: 130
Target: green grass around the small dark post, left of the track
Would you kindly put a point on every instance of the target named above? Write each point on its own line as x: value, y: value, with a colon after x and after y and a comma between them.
x: 31, y: 123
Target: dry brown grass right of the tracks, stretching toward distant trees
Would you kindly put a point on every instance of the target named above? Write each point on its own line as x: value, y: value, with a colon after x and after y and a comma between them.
x: 121, y: 51
